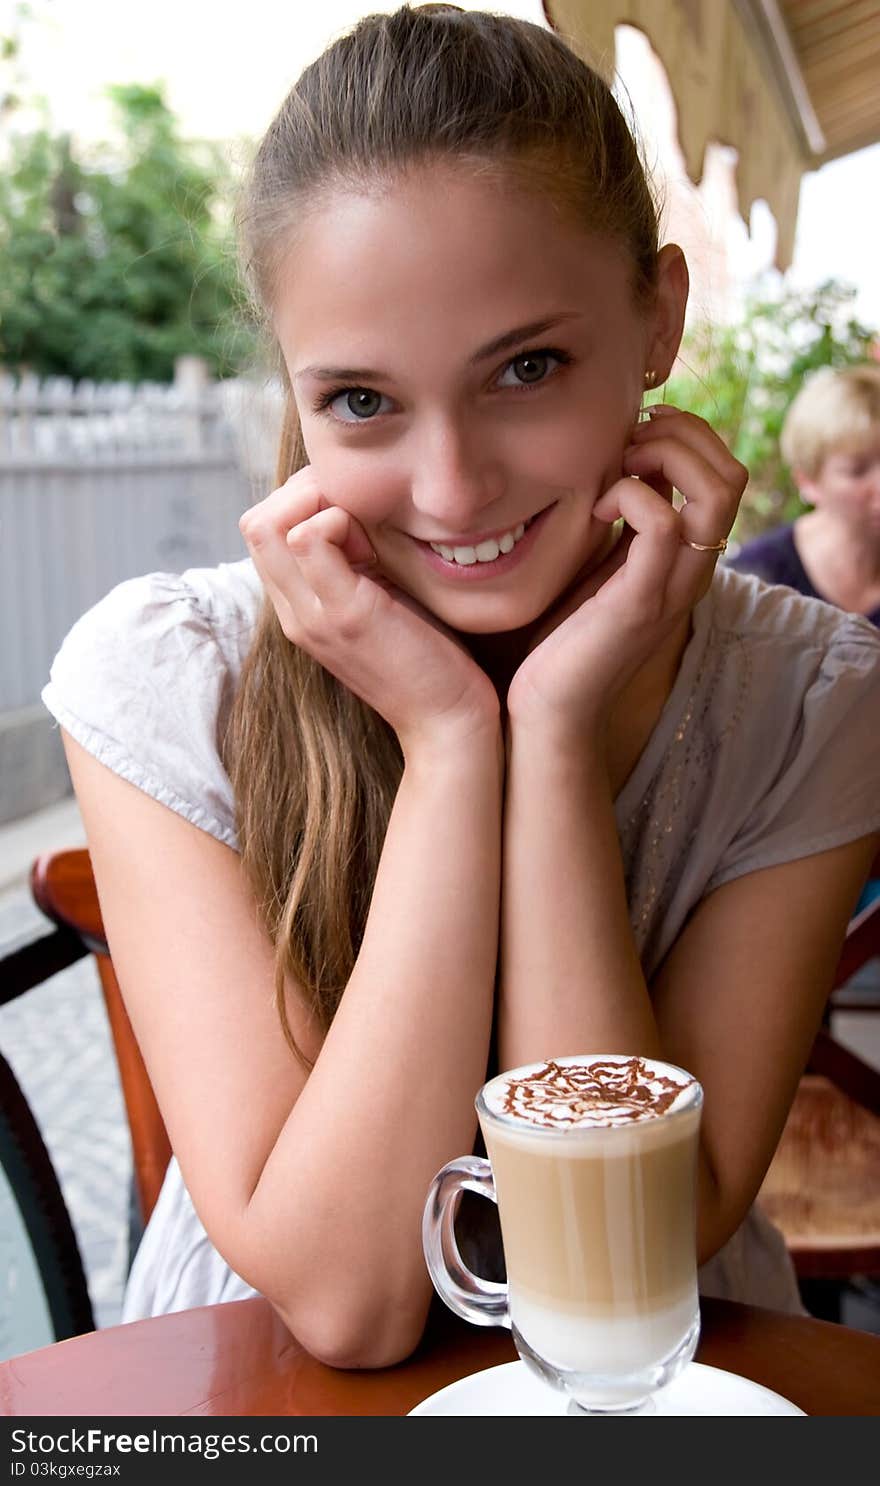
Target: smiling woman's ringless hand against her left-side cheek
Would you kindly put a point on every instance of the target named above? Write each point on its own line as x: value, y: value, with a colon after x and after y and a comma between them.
x: 320, y: 573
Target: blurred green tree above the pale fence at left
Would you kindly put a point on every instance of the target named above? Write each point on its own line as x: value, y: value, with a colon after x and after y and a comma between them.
x: 111, y: 270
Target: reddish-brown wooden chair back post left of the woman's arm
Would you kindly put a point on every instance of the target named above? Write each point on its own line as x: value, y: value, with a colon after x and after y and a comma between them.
x: 65, y: 889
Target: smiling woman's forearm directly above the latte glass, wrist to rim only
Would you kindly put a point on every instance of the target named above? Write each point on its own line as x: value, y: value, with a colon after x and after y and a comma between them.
x: 572, y: 980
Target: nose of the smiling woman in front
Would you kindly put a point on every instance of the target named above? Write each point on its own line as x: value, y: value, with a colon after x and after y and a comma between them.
x: 456, y: 478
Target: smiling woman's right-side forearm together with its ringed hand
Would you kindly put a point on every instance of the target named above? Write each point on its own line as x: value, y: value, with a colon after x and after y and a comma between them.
x: 597, y: 671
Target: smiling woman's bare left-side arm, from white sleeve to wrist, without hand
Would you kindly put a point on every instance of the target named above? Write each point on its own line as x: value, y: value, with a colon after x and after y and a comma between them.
x: 313, y: 1190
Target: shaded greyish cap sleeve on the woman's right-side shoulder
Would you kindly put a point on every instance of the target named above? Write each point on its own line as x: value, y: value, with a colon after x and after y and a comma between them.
x: 827, y: 791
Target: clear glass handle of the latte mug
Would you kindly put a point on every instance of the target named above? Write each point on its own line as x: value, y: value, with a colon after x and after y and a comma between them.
x: 484, y: 1302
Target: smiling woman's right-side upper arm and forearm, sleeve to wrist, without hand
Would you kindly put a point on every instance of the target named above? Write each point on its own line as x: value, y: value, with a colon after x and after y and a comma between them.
x: 738, y: 1001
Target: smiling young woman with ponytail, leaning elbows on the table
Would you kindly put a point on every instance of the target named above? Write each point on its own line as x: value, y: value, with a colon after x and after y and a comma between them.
x: 478, y: 757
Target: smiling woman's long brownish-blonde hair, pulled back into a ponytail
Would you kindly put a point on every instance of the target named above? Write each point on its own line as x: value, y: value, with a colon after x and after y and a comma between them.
x: 314, y: 769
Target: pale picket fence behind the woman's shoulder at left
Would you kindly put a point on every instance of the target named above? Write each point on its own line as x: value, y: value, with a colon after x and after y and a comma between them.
x: 102, y: 484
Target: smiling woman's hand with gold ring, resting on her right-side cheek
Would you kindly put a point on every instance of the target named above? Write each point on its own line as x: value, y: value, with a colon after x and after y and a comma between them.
x: 606, y: 628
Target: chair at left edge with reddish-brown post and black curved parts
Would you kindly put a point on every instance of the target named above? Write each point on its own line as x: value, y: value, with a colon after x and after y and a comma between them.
x: 65, y: 889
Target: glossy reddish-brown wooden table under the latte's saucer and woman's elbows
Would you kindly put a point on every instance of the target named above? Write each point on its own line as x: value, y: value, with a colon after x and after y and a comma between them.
x: 240, y: 1360
